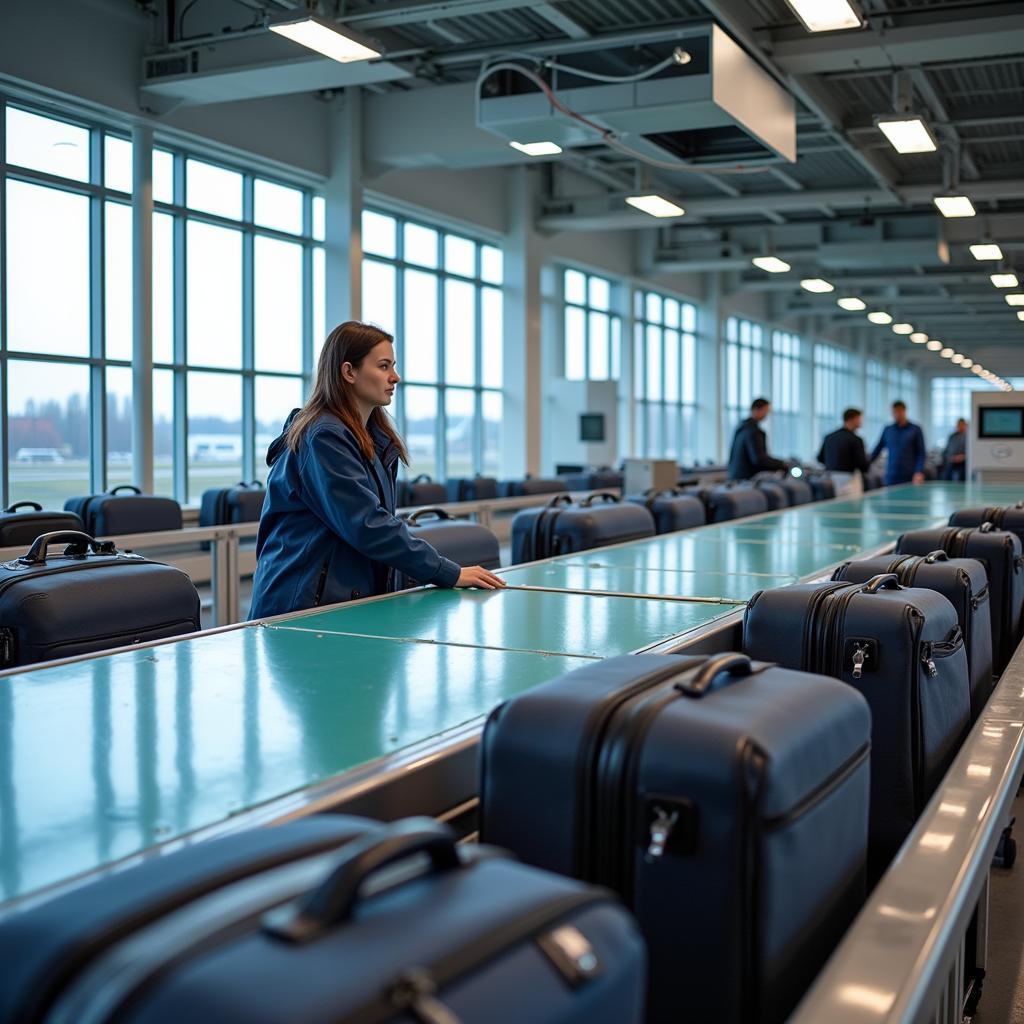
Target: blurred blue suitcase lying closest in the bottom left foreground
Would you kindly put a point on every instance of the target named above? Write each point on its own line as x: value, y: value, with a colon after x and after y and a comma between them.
x: 325, y: 921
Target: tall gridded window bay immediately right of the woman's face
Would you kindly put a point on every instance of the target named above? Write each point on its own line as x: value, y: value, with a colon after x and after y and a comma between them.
x: 440, y: 293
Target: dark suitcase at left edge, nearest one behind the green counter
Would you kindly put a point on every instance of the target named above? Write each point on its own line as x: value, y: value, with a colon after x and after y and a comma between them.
x: 90, y: 599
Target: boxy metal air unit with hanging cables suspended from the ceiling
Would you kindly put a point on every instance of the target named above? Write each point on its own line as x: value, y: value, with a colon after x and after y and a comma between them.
x: 719, y: 108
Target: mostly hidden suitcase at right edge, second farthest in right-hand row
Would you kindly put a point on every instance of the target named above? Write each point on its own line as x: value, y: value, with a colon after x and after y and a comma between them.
x: 1000, y: 552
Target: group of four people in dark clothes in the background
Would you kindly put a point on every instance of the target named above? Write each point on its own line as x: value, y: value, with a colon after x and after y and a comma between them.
x: 843, y: 452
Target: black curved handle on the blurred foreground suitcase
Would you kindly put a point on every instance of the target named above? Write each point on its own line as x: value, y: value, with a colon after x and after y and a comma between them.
x: 333, y: 903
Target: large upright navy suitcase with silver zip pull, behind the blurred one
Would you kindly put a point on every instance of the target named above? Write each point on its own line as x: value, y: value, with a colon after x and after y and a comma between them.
x: 726, y: 801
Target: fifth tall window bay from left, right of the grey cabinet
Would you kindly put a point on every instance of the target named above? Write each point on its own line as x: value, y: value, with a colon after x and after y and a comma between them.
x: 665, y: 374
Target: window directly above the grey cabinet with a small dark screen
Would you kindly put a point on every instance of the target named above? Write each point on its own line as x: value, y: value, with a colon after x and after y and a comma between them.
x: 592, y: 331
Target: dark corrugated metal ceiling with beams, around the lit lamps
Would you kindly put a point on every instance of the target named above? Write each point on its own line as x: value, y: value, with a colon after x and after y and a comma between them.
x: 850, y: 209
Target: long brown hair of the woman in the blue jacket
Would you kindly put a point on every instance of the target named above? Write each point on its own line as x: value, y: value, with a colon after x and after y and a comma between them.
x: 350, y: 343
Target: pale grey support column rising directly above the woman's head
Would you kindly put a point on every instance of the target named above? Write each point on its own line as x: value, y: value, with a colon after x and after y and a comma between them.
x: 344, y: 194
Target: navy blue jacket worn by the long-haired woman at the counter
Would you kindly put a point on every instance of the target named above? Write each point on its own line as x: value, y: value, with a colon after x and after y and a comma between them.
x: 328, y: 532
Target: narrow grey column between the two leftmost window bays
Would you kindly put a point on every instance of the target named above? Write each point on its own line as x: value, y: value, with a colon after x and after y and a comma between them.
x: 142, y: 364
